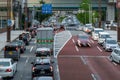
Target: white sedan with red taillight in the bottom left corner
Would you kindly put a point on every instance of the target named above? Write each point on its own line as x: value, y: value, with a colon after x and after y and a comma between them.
x: 8, y: 67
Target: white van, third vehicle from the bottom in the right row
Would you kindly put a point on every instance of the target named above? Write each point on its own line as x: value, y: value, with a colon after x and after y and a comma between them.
x: 102, y: 36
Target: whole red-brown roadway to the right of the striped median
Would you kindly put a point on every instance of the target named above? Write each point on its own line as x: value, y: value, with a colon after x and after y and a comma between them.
x: 86, y: 63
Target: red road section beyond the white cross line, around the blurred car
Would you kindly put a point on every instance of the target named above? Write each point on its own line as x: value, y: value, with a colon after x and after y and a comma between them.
x: 72, y: 49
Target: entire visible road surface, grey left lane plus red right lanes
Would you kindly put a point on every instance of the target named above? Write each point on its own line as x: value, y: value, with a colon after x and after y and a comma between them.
x: 84, y: 63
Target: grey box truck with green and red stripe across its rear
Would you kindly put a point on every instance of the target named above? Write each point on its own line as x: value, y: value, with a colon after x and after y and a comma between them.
x: 45, y: 37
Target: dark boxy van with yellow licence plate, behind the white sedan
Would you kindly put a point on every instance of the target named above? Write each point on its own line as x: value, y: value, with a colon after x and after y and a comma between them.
x: 12, y: 50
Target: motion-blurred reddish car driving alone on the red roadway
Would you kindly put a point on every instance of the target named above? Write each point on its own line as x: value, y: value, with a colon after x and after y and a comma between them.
x: 83, y: 40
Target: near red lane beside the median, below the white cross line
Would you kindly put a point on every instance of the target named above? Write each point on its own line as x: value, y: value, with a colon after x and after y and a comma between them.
x: 72, y: 68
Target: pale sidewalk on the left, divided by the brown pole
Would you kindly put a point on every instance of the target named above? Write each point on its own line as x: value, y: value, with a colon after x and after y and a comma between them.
x: 3, y: 37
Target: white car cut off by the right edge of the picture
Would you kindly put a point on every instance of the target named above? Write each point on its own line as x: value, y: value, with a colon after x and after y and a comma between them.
x: 115, y: 55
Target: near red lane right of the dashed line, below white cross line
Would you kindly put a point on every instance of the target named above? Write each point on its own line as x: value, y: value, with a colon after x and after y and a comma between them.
x: 103, y: 68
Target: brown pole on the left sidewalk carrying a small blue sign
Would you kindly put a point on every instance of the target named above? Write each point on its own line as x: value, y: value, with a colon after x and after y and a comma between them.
x: 8, y: 18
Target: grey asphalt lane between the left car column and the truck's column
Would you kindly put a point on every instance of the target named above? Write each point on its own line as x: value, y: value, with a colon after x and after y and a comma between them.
x: 24, y: 65
